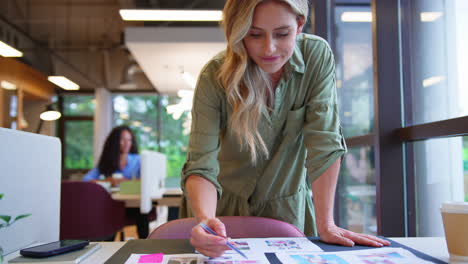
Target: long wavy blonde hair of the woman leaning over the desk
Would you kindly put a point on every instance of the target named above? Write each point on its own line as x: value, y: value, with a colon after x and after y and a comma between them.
x: 248, y: 88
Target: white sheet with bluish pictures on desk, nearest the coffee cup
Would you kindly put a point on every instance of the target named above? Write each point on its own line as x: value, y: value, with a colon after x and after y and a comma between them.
x: 385, y: 255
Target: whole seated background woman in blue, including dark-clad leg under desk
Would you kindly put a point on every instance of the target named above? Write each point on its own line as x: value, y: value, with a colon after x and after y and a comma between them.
x: 120, y: 156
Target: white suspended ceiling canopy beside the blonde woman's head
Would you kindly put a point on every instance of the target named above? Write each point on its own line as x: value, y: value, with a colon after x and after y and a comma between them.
x: 165, y: 52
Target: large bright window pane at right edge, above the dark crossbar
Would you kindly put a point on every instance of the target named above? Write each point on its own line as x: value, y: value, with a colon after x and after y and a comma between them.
x: 438, y: 60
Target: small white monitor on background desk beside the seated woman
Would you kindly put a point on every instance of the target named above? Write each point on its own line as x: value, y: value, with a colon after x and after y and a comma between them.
x: 153, y: 175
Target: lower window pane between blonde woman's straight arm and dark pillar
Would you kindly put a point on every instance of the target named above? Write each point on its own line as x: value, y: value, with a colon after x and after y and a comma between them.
x: 356, y: 191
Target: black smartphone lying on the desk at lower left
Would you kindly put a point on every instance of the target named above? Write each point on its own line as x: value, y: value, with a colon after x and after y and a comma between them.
x: 54, y: 248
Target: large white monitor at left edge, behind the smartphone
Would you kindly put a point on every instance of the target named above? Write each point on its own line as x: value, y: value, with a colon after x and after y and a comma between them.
x: 30, y: 166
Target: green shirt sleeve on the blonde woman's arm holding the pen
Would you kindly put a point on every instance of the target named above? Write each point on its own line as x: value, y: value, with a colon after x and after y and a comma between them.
x: 204, y: 142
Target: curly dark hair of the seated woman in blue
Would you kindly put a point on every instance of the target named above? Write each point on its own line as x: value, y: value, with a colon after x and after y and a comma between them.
x: 109, y: 160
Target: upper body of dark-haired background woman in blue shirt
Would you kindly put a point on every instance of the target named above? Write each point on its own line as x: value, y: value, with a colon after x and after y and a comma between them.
x: 119, y: 156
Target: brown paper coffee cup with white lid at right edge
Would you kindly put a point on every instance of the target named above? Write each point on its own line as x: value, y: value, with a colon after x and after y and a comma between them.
x: 455, y: 218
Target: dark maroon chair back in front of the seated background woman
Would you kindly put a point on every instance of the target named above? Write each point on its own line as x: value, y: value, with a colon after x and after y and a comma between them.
x: 87, y: 211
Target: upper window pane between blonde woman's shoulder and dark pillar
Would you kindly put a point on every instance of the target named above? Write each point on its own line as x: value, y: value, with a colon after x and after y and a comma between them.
x: 354, y: 79
